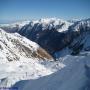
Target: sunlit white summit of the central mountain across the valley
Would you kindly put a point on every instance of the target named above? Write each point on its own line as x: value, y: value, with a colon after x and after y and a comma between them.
x: 49, y: 23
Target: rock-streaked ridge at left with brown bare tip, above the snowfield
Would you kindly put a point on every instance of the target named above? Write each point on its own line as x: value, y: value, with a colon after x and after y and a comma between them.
x: 13, y: 47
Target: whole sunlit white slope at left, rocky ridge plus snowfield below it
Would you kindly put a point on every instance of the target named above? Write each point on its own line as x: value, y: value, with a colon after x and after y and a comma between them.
x: 22, y: 59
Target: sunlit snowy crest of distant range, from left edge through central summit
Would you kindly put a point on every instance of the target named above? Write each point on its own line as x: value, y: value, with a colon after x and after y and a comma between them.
x: 45, y: 23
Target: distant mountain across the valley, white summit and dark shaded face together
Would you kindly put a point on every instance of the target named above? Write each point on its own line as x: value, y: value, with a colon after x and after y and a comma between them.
x: 53, y: 35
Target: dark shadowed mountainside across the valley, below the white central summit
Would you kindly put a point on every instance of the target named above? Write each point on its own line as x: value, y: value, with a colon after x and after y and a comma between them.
x: 51, y: 39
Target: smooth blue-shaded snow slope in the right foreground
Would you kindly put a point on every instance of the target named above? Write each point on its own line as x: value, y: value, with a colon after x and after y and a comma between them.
x: 74, y: 76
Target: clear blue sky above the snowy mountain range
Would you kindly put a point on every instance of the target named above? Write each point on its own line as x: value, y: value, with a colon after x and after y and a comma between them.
x: 36, y: 9
